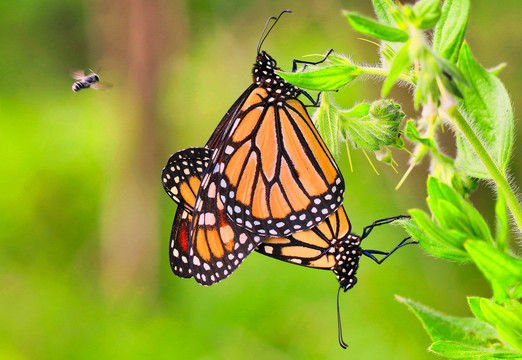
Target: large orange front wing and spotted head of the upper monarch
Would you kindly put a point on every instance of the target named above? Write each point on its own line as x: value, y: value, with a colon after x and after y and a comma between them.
x: 276, y: 175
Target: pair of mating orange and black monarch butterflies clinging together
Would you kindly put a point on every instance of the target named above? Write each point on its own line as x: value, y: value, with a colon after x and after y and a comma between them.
x: 264, y: 181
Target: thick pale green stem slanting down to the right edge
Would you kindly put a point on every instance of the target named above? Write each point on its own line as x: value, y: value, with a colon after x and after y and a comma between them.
x: 498, y: 177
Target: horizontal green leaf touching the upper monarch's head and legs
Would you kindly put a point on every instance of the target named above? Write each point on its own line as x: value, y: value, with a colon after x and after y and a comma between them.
x: 329, y: 78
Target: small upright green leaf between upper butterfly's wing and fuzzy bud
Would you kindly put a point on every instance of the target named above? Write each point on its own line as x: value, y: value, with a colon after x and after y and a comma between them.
x: 326, y: 119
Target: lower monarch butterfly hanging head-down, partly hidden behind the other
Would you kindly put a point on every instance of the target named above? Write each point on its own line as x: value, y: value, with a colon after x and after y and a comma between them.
x: 328, y: 246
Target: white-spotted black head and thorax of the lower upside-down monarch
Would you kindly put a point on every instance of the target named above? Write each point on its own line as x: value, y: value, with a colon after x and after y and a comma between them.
x: 347, y: 255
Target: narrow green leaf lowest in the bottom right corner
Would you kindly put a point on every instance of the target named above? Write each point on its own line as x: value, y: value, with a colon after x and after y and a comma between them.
x: 456, y: 350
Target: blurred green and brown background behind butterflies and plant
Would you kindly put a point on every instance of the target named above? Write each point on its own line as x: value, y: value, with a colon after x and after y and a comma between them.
x: 85, y: 222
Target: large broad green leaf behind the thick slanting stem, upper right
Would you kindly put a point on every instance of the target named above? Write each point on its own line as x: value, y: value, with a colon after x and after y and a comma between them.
x: 487, y: 108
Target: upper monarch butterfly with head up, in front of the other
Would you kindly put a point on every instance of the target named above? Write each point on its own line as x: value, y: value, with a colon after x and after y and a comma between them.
x: 270, y: 175
